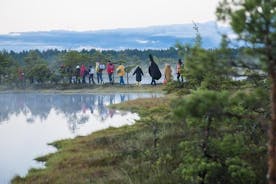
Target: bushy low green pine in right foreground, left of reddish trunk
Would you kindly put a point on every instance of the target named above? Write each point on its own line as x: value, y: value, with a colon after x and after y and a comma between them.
x: 221, y: 131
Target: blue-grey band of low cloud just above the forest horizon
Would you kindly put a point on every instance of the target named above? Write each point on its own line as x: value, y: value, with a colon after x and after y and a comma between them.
x: 154, y: 37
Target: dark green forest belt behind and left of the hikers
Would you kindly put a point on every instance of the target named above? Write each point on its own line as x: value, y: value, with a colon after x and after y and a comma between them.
x: 45, y: 66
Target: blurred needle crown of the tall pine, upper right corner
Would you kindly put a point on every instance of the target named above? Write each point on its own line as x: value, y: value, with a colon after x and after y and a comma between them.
x: 254, y: 22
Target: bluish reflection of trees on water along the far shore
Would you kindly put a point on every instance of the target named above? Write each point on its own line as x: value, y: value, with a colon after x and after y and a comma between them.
x: 75, y: 107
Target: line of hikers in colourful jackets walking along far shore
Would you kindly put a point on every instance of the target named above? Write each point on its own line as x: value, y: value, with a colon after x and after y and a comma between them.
x: 154, y: 71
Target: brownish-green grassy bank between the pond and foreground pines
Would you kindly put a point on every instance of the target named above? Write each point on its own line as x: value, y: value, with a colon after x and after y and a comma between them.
x: 141, y: 153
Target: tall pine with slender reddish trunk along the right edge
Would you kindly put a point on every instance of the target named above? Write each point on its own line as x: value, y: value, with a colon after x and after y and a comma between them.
x: 255, y: 22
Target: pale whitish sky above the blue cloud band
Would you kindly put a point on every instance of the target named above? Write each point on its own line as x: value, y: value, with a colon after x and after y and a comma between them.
x: 84, y: 15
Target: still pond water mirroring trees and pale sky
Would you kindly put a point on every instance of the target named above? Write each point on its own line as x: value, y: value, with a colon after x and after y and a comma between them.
x: 29, y: 121
